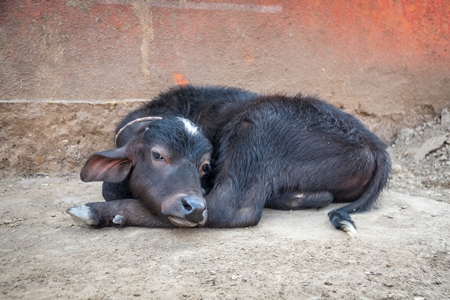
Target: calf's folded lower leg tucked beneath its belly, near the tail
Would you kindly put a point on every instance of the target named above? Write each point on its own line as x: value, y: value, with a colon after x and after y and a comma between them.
x: 295, y: 201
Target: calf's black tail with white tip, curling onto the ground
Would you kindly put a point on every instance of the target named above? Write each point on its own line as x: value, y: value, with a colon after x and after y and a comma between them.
x: 340, y: 217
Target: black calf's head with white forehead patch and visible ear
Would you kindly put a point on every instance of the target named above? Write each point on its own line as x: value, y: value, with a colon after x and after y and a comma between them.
x: 163, y: 165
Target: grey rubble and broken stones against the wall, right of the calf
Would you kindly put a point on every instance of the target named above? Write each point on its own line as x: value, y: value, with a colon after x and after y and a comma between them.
x: 421, y: 159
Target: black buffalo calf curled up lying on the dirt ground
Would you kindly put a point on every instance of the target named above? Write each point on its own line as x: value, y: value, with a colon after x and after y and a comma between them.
x: 214, y: 156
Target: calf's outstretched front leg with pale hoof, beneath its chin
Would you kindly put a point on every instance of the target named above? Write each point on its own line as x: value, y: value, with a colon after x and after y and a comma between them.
x: 117, y: 213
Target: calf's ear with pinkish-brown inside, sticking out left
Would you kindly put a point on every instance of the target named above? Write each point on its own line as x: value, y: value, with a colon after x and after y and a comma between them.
x: 110, y: 166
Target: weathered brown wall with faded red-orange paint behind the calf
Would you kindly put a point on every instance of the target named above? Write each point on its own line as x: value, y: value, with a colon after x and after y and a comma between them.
x: 387, y: 62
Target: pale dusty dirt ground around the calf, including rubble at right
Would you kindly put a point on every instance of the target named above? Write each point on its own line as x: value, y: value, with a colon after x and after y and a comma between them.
x: 402, y: 250
